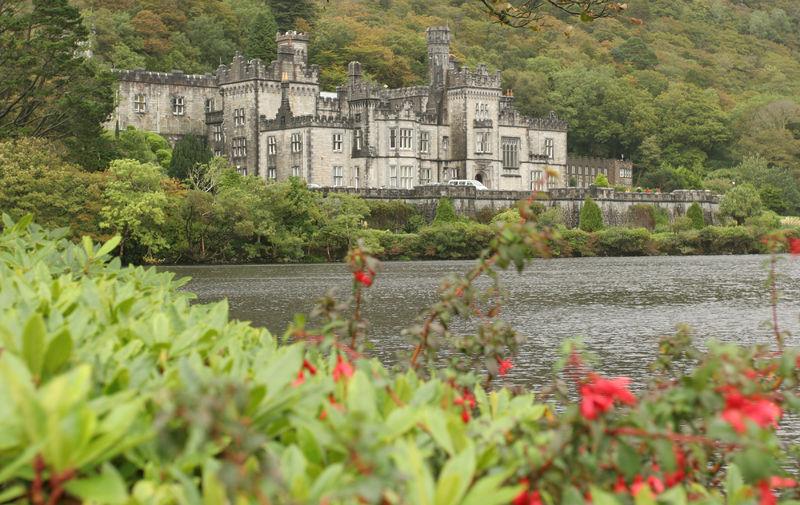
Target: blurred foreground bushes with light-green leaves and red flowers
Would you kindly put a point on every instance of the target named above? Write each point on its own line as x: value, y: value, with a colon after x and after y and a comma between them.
x: 114, y: 389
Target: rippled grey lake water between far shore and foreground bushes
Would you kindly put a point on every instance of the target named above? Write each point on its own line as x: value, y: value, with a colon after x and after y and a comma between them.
x: 620, y: 306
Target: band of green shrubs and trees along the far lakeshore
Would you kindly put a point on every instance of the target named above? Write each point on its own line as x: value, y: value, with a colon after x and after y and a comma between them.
x: 213, y: 215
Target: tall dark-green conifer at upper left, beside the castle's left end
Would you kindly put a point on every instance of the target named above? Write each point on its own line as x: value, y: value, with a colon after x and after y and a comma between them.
x: 47, y: 87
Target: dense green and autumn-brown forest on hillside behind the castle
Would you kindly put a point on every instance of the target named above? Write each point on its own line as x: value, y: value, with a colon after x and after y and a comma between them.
x: 701, y: 93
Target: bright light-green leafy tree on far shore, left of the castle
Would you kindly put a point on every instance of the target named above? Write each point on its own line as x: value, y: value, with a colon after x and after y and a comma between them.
x: 135, y: 206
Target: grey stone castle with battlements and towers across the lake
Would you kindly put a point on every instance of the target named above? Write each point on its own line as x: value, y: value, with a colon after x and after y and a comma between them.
x: 274, y: 121
